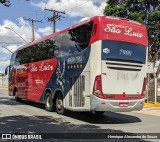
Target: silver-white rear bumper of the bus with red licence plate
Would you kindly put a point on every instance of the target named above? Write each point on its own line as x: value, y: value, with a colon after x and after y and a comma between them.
x: 98, y: 104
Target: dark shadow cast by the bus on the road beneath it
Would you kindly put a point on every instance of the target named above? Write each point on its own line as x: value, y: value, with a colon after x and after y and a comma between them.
x: 106, y: 118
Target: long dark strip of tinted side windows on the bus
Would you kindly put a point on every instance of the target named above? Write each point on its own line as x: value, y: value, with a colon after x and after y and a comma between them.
x: 68, y: 43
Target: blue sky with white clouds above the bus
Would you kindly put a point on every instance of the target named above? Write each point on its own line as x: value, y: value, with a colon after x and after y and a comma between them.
x: 20, y: 30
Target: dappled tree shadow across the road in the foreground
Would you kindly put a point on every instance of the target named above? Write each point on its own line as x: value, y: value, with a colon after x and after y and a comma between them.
x: 64, y: 130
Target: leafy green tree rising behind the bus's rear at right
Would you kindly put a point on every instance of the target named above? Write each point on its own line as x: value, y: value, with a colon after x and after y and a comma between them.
x: 143, y: 11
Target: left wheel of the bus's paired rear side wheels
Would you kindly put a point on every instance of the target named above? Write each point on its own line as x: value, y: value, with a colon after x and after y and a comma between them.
x: 49, y: 102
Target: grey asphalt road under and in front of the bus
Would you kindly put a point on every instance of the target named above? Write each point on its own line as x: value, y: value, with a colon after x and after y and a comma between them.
x: 28, y: 117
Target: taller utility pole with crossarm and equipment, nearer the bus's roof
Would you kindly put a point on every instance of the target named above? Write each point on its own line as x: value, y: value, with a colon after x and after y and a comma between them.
x: 56, y: 16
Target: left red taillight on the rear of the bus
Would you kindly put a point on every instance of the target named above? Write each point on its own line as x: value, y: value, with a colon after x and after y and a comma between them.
x: 97, y: 90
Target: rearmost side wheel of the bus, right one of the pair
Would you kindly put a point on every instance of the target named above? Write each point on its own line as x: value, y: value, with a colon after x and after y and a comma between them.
x: 59, y: 105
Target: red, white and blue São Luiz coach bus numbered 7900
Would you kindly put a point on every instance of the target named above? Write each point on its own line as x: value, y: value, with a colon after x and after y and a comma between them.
x: 97, y: 65
